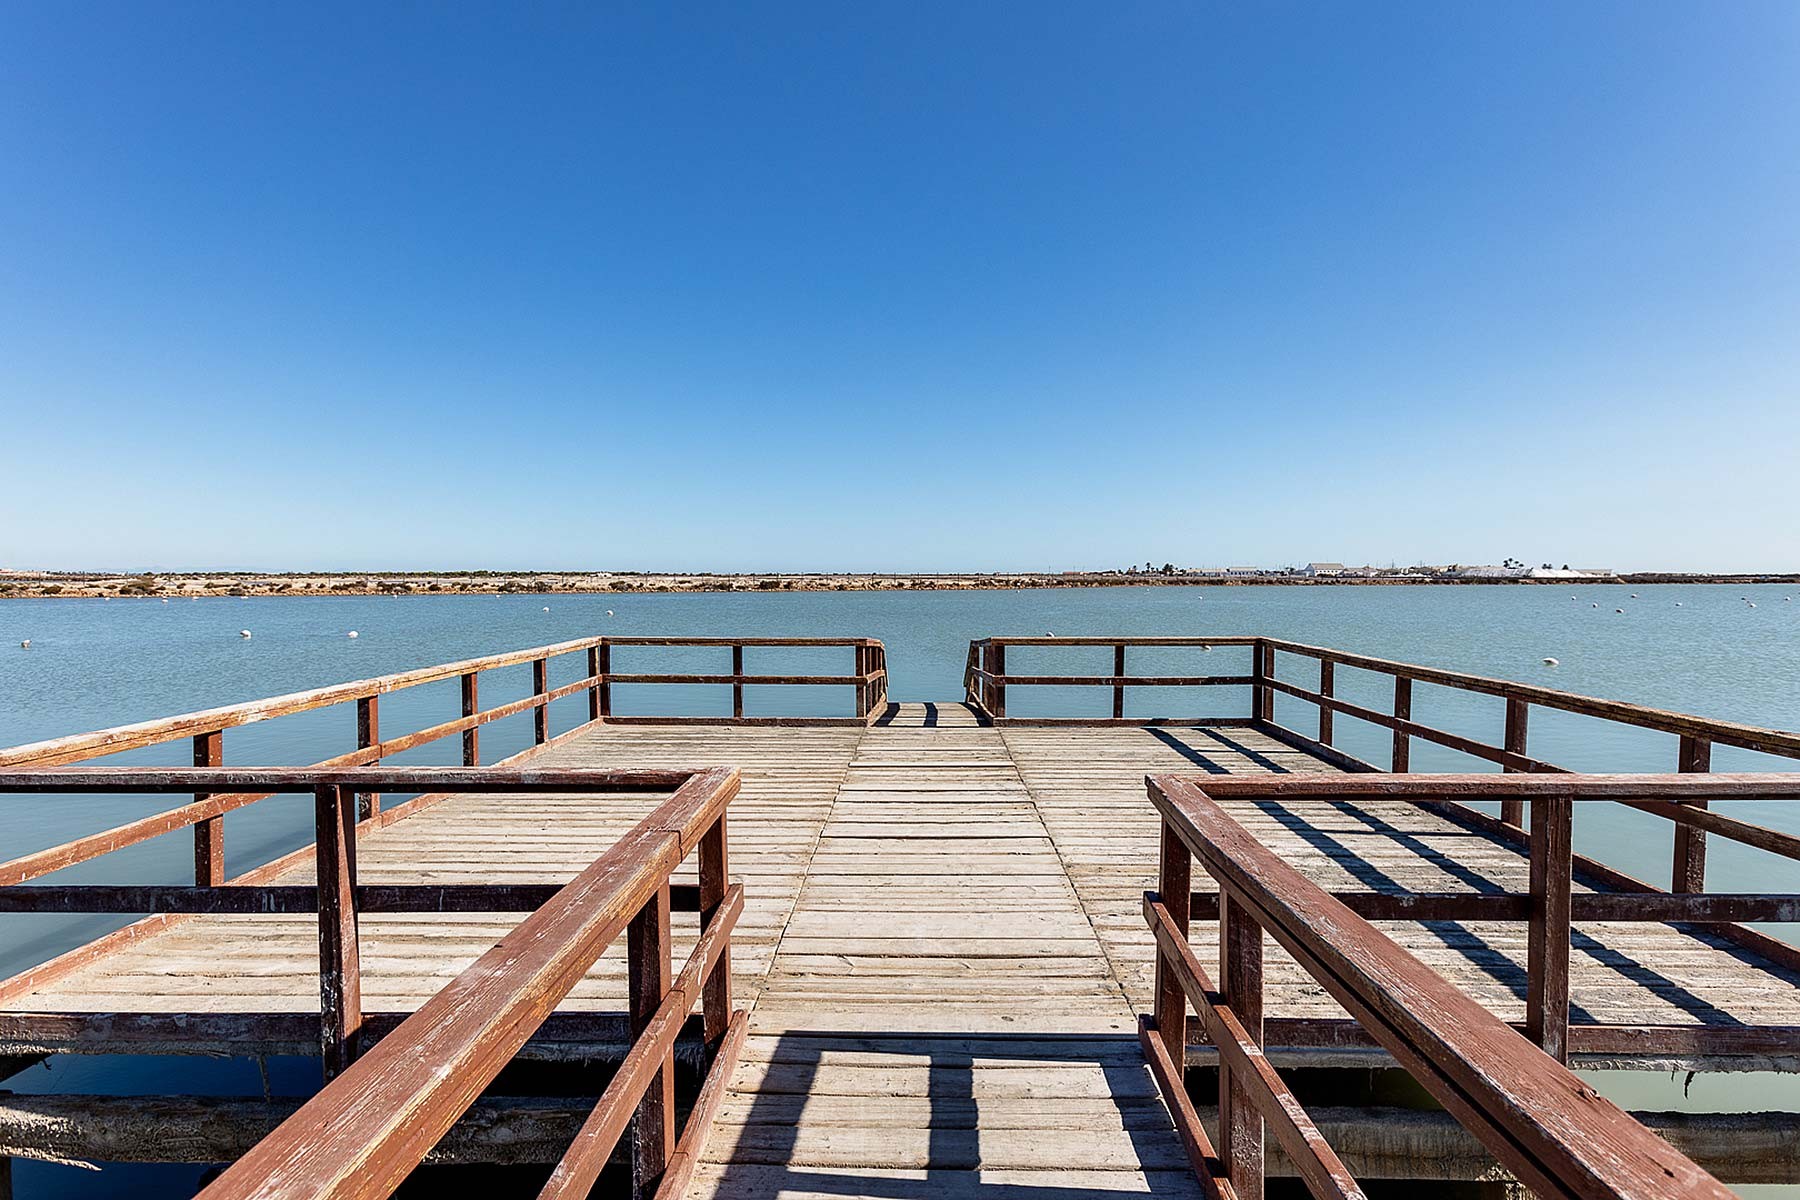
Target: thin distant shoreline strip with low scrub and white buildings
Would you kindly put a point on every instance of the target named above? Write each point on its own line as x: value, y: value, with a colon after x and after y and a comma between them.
x: 96, y: 586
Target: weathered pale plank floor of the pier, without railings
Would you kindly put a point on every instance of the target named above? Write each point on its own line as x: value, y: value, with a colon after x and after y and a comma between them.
x: 942, y: 940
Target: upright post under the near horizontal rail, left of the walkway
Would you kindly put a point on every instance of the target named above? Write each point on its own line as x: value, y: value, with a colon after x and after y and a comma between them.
x: 339, y: 963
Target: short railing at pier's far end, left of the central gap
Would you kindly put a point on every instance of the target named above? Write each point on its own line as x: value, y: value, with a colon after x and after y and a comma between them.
x: 868, y: 679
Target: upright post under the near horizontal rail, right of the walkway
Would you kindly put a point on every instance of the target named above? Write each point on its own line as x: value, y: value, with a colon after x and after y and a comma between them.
x: 1547, y: 967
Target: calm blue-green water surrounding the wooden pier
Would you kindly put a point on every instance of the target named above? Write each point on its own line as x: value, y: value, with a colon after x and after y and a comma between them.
x: 103, y: 663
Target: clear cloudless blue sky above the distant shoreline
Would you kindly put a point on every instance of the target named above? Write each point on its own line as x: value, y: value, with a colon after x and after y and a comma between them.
x: 899, y: 285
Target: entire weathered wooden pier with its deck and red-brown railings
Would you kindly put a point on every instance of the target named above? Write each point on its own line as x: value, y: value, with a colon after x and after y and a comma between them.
x: 933, y: 967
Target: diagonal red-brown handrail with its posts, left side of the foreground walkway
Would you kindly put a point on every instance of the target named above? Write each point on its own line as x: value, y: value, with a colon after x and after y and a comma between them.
x: 373, y: 1124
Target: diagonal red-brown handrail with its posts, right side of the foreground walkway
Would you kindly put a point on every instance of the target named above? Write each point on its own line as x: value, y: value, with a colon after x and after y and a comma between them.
x: 1551, y: 1129
